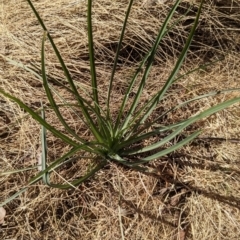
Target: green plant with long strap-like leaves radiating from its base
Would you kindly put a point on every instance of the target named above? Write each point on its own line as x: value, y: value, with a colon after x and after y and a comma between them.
x: 114, y: 139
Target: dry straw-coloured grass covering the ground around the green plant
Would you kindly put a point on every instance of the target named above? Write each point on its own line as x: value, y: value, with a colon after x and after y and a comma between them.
x: 196, y: 193
